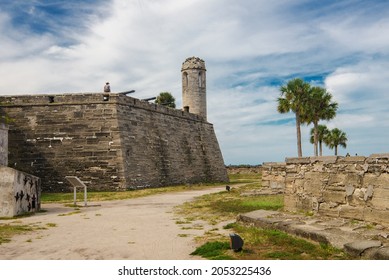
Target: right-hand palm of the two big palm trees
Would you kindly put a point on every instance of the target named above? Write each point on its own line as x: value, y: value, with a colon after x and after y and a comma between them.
x: 319, y: 107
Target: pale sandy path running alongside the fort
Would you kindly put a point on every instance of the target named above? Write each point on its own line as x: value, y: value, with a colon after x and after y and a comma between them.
x: 137, y: 229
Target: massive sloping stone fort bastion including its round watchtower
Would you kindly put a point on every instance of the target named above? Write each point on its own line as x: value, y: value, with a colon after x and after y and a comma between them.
x: 112, y: 141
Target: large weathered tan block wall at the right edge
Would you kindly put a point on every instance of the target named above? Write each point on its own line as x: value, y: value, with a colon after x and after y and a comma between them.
x: 350, y: 187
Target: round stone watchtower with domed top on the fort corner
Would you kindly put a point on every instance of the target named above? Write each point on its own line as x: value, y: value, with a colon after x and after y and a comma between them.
x: 194, y: 86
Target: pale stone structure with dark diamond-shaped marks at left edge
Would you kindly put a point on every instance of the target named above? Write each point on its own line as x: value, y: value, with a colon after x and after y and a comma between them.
x: 19, y: 192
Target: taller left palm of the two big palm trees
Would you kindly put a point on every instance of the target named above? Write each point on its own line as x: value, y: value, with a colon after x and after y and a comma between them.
x: 293, y: 97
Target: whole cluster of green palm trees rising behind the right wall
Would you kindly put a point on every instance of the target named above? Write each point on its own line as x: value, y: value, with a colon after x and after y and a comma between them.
x: 311, y: 104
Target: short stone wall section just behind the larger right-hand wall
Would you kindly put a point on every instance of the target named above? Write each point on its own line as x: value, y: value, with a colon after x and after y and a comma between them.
x: 273, y: 175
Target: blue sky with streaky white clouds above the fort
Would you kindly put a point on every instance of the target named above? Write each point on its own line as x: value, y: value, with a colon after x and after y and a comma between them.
x: 250, y: 47
